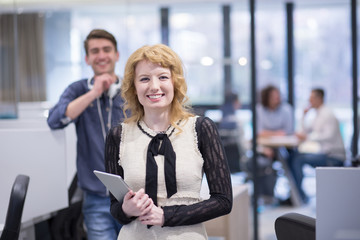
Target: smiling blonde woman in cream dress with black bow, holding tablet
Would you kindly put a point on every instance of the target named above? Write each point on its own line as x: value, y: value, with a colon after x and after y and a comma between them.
x: 163, y: 148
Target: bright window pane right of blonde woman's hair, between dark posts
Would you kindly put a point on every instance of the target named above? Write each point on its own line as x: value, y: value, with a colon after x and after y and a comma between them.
x: 196, y: 35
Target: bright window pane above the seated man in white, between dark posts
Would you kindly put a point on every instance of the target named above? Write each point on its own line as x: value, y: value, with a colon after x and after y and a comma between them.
x: 323, y: 59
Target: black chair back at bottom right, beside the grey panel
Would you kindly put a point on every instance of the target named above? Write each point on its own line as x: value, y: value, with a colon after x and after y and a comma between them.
x: 295, y: 226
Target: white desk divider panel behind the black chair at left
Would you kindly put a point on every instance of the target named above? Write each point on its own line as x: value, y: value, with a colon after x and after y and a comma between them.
x: 42, y: 155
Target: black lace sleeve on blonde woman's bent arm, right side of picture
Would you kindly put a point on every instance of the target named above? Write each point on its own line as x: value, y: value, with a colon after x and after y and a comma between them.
x: 218, y: 177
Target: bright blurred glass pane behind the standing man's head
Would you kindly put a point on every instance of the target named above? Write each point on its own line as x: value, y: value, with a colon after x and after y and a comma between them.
x: 132, y: 25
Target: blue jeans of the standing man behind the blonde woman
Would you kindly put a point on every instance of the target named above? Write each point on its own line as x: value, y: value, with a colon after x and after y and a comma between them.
x: 100, y: 225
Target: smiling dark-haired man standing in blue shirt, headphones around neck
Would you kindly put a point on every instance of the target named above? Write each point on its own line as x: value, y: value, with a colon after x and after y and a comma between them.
x: 94, y: 105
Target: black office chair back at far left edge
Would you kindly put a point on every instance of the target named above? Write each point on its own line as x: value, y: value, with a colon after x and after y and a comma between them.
x: 15, y: 208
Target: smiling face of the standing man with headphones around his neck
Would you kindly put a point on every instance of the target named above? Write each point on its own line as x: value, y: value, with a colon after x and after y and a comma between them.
x: 101, y: 56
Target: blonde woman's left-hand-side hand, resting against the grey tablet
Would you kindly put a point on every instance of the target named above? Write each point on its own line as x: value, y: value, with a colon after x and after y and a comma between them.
x: 137, y: 203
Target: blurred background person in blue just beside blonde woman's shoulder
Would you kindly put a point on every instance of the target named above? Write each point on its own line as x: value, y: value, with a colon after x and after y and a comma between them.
x: 232, y: 132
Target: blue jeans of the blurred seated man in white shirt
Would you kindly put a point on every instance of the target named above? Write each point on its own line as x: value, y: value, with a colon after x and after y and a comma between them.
x: 297, y: 162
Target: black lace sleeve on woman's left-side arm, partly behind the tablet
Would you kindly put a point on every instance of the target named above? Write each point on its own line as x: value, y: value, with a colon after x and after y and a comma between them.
x: 112, y: 145
